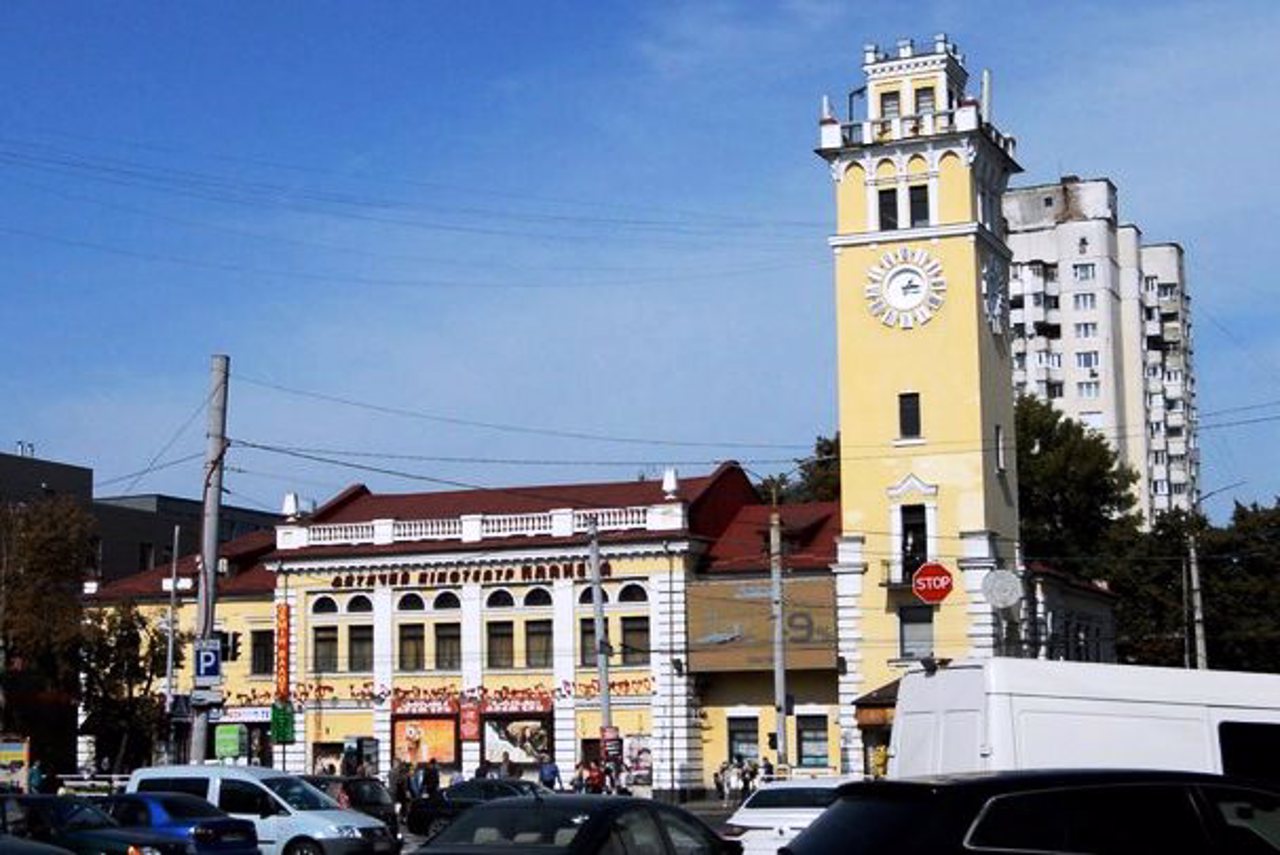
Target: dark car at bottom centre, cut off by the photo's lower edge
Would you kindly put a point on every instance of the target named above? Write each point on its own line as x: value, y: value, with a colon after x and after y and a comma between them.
x: 579, y: 826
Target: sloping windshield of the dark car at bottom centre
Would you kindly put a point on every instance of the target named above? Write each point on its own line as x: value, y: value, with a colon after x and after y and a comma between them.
x: 519, y: 826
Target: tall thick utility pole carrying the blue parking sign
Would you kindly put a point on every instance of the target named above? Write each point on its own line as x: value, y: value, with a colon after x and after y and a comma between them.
x: 207, y: 600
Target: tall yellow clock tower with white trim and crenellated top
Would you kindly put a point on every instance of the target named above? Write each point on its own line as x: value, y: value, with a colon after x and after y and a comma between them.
x: 925, y: 378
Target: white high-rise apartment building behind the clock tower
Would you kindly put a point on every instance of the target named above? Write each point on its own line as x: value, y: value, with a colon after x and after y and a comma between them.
x: 1101, y: 328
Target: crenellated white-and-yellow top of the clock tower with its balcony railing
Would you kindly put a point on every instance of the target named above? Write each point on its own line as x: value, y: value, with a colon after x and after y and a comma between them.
x: 912, y: 94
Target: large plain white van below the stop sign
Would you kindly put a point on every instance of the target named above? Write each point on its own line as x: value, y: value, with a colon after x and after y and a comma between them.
x: 1000, y: 714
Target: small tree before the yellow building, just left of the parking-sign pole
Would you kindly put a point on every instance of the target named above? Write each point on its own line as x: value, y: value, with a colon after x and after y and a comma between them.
x: 125, y: 667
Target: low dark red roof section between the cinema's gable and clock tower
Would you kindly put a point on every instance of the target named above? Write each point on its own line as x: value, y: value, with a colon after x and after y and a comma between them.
x: 810, y: 536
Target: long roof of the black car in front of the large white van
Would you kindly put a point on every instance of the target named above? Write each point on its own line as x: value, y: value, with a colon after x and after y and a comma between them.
x: 1011, y: 781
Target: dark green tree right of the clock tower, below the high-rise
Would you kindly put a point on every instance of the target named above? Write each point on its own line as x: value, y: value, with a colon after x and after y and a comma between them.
x: 1075, y: 496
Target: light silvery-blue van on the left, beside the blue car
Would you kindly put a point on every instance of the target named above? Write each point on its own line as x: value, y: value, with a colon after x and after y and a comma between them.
x: 292, y: 817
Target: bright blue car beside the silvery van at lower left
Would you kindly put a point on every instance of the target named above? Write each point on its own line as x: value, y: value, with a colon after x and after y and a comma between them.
x: 186, y: 819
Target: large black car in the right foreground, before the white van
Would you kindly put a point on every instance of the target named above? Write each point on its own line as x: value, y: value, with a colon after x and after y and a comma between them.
x: 1023, y: 813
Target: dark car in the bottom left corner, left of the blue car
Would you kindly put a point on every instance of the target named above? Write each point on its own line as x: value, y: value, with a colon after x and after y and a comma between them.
x: 76, y: 825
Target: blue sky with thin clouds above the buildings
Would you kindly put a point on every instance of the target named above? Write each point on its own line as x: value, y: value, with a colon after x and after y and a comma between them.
x: 554, y: 241
